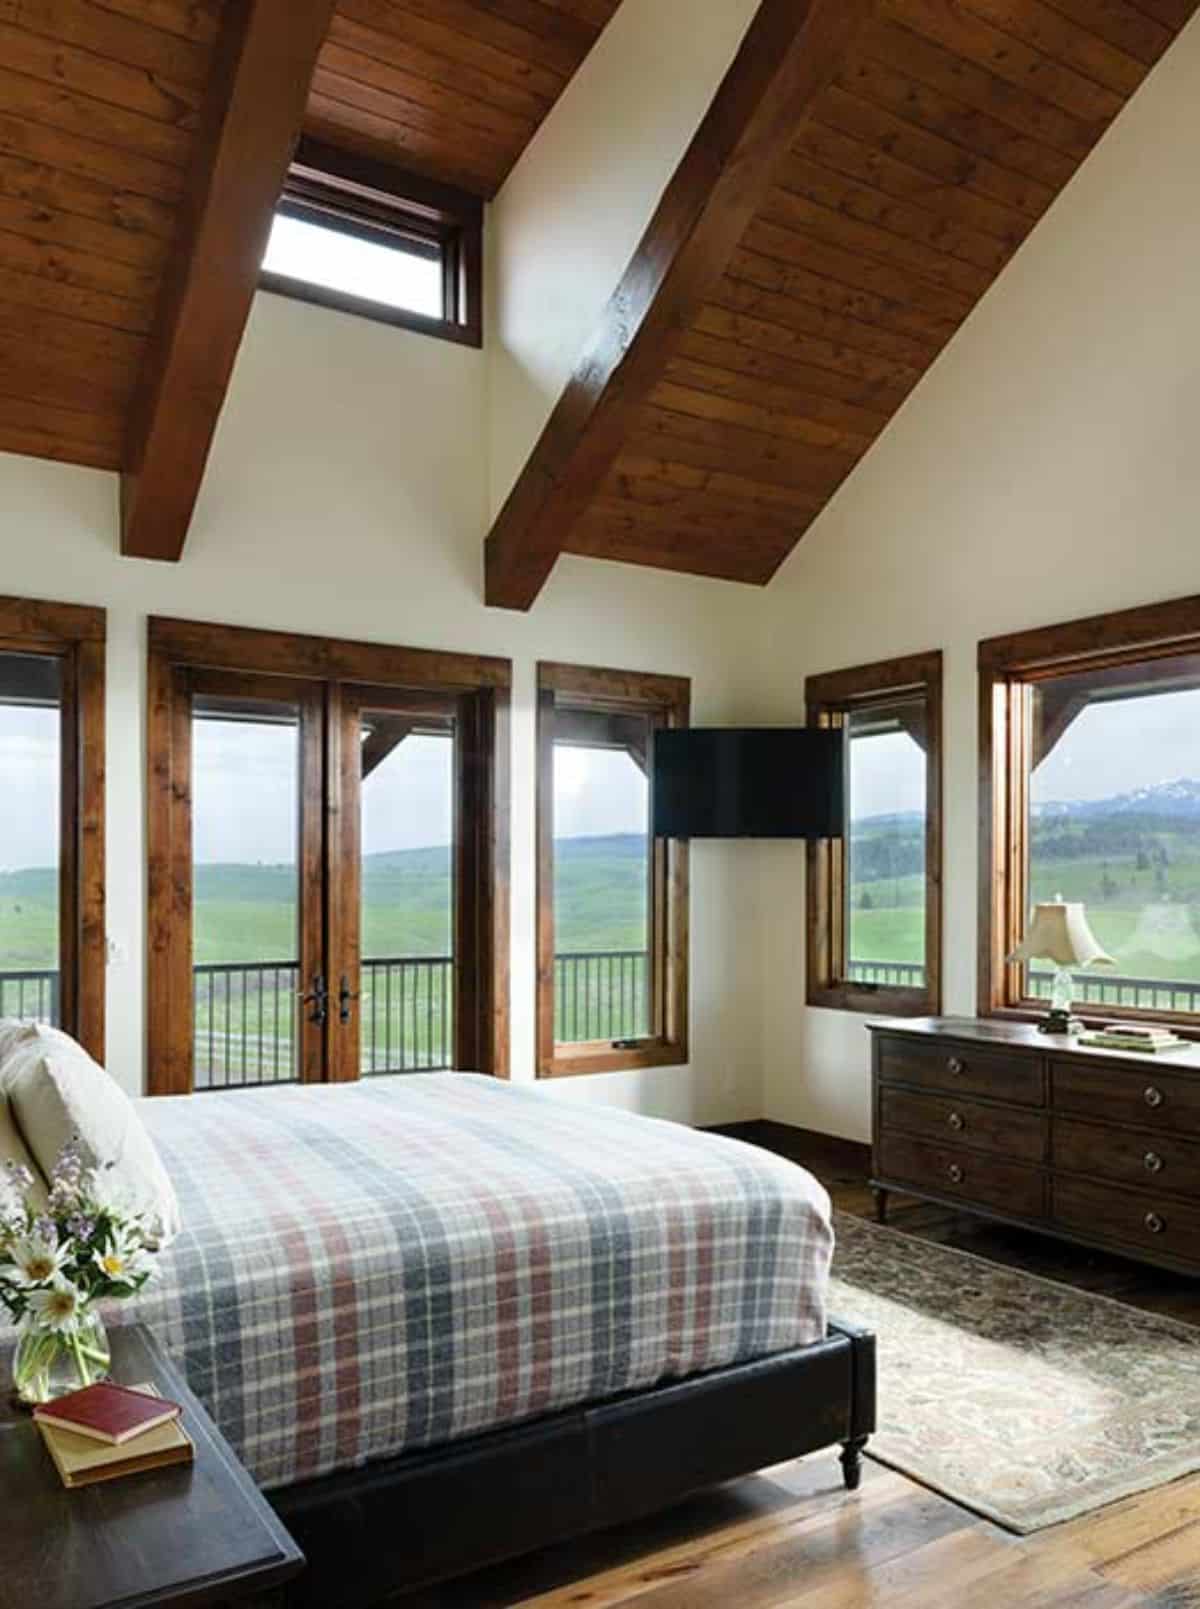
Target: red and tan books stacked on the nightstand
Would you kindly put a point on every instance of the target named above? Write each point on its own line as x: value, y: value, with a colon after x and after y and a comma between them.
x: 109, y: 1431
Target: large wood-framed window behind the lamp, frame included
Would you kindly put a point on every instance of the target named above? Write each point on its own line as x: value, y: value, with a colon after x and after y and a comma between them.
x: 1091, y: 791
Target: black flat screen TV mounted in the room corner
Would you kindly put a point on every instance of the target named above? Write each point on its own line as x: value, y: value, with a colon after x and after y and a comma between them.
x: 749, y: 783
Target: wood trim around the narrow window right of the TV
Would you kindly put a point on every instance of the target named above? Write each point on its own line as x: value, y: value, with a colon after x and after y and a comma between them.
x: 831, y: 698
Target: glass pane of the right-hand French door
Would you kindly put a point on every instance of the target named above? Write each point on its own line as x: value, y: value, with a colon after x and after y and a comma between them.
x: 406, y: 1006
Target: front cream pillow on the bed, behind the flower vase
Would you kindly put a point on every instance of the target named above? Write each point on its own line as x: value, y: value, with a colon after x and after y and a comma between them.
x: 57, y: 1093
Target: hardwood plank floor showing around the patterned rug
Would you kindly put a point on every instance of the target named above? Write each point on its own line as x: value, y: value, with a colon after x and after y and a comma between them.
x: 791, y: 1536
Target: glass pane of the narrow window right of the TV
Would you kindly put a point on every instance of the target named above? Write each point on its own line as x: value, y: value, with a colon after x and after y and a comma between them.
x: 886, y: 852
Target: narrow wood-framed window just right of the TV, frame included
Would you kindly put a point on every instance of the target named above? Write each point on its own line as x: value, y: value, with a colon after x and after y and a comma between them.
x: 874, y: 897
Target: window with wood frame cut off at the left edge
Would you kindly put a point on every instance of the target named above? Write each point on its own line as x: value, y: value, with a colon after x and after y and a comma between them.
x: 52, y: 855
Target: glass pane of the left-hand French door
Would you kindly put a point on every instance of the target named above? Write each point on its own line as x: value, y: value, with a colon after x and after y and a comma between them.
x: 245, y: 844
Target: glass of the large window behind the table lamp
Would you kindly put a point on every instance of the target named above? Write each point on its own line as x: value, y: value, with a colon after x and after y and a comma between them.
x: 1116, y: 823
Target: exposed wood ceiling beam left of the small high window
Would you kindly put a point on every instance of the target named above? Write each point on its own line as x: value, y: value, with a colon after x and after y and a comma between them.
x: 252, y: 118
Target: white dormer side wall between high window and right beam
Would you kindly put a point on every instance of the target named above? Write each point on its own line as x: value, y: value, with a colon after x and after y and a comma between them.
x: 570, y: 216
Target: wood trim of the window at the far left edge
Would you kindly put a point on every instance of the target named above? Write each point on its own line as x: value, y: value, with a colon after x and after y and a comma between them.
x: 76, y: 636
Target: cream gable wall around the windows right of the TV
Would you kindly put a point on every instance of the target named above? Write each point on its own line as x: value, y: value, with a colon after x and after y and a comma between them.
x: 1046, y: 469
